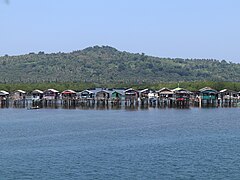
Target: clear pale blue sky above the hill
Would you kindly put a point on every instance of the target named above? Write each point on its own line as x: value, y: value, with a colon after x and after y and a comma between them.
x: 207, y: 29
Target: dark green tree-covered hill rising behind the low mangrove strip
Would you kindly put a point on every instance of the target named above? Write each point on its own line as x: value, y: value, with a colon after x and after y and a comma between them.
x: 108, y: 65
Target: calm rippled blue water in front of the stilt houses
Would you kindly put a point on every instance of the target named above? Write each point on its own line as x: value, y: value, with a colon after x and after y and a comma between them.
x: 120, y: 144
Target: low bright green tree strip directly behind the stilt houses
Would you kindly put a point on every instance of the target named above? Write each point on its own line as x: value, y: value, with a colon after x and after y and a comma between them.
x: 80, y: 86
